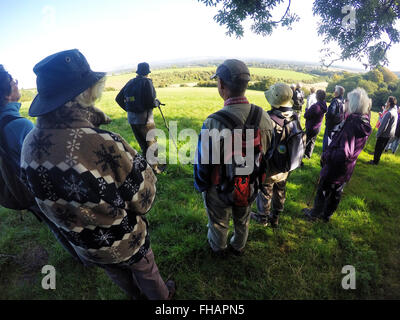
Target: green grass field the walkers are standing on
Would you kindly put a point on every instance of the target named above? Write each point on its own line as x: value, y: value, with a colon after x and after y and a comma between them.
x: 299, y: 260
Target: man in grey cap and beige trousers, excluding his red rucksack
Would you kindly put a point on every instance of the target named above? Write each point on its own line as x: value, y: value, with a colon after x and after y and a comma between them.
x: 233, y: 77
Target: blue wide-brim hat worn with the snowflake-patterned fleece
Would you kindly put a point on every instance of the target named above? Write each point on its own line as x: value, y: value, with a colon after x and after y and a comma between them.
x: 60, y: 78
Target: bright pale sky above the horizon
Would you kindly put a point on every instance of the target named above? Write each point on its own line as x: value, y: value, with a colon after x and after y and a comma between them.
x: 115, y: 33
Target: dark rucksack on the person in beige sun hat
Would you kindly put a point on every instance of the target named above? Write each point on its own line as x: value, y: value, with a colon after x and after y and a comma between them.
x: 287, y: 153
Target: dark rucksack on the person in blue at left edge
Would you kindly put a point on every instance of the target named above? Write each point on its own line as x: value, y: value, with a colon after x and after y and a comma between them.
x: 13, y: 193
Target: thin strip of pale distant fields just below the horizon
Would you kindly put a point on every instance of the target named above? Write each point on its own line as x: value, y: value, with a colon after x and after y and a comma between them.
x: 118, y: 81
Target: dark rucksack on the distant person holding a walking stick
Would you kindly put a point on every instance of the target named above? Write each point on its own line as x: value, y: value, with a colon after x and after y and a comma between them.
x: 134, y: 95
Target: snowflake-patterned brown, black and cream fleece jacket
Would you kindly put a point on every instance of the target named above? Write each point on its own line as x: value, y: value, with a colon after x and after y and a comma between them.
x: 91, y: 183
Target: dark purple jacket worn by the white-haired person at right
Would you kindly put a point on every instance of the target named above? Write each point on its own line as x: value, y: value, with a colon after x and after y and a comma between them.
x: 339, y: 159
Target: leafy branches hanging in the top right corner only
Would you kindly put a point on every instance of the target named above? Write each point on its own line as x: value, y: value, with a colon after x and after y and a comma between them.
x: 375, y: 31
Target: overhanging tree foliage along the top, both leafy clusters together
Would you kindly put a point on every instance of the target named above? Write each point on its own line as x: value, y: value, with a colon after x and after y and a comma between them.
x: 367, y: 37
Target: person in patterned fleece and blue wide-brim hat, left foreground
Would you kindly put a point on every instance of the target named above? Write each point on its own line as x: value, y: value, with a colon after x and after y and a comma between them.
x: 88, y: 181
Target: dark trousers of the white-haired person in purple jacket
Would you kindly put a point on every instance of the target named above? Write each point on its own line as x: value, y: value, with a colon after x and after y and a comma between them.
x: 327, y: 199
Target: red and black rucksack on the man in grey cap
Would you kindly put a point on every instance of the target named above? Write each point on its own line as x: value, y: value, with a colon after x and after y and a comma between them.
x: 240, y: 190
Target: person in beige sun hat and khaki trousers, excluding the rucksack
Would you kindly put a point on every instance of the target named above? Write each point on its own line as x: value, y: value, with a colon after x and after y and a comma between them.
x: 270, y: 201
